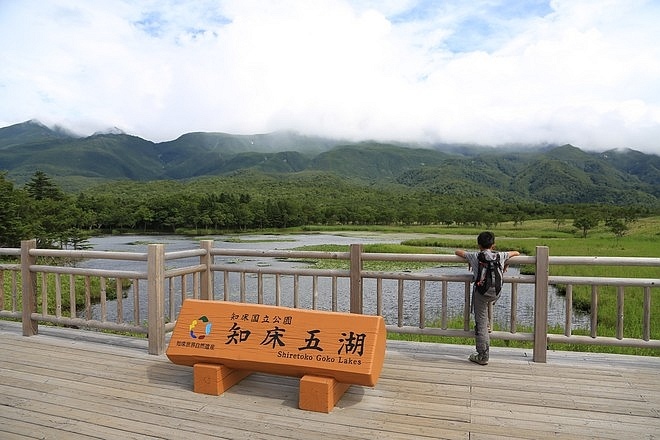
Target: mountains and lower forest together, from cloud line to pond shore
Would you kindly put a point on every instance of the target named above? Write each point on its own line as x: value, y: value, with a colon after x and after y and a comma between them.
x: 62, y: 189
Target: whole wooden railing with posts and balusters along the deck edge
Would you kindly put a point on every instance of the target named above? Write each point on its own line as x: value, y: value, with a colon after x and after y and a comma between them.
x: 151, y: 304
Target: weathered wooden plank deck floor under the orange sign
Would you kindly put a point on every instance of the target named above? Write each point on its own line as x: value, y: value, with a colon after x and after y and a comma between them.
x: 72, y: 384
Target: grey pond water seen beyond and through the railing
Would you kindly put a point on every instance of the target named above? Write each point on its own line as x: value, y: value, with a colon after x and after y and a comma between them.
x: 138, y: 243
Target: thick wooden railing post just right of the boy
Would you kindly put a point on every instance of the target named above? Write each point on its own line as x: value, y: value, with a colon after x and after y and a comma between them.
x: 541, y: 304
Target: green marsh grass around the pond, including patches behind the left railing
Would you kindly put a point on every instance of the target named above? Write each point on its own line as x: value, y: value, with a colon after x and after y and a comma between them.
x: 642, y: 240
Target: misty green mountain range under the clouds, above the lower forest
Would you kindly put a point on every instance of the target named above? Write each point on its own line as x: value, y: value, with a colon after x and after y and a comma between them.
x: 563, y: 174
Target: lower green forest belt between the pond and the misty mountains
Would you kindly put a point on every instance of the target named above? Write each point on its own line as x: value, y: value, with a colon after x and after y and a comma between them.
x: 253, y: 201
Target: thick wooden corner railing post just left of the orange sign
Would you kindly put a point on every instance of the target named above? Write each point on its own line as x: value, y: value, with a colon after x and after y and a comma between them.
x: 156, y: 298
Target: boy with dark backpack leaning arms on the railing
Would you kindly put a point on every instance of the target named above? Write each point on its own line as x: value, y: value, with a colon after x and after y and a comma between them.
x: 486, y: 242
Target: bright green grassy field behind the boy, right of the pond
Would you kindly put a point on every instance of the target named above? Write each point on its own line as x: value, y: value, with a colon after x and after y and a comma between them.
x: 641, y: 240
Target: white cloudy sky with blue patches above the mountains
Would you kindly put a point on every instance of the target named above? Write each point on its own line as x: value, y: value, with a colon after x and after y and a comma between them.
x: 585, y: 72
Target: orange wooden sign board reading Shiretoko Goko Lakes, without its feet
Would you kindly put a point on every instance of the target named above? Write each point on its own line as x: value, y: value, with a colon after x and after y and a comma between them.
x: 349, y: 348
